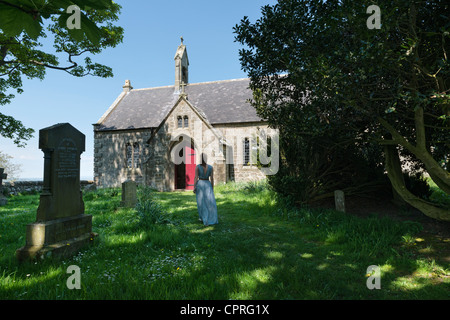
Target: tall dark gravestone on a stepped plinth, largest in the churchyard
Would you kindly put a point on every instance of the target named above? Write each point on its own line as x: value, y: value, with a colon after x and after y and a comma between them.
x: 61, y: 227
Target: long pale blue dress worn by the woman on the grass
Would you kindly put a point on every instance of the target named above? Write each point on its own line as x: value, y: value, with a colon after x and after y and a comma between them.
x: 206, y: 202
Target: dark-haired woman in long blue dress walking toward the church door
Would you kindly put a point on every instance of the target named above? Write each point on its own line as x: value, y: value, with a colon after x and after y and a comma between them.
x: 204, y: 190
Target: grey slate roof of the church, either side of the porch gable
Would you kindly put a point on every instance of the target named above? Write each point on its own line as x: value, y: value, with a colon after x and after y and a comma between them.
x: 220, y: 101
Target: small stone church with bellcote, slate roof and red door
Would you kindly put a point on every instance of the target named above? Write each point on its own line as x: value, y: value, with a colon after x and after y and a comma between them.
x: 155, y: 136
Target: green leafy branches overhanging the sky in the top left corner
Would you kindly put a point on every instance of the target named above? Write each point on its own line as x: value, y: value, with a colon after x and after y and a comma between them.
x: 24, y: 22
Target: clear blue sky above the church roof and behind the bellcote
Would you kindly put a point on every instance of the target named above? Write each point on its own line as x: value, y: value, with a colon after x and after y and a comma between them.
x: 151, y: 37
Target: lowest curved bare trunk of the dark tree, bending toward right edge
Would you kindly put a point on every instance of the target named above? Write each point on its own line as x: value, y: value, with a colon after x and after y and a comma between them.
x: 395, y: 175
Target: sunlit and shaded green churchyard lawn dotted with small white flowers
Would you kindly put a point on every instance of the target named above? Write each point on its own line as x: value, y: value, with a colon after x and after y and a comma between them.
x: 261, y: 249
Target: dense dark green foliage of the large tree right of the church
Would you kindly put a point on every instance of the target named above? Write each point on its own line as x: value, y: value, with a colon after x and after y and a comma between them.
x: 338, y: 91
